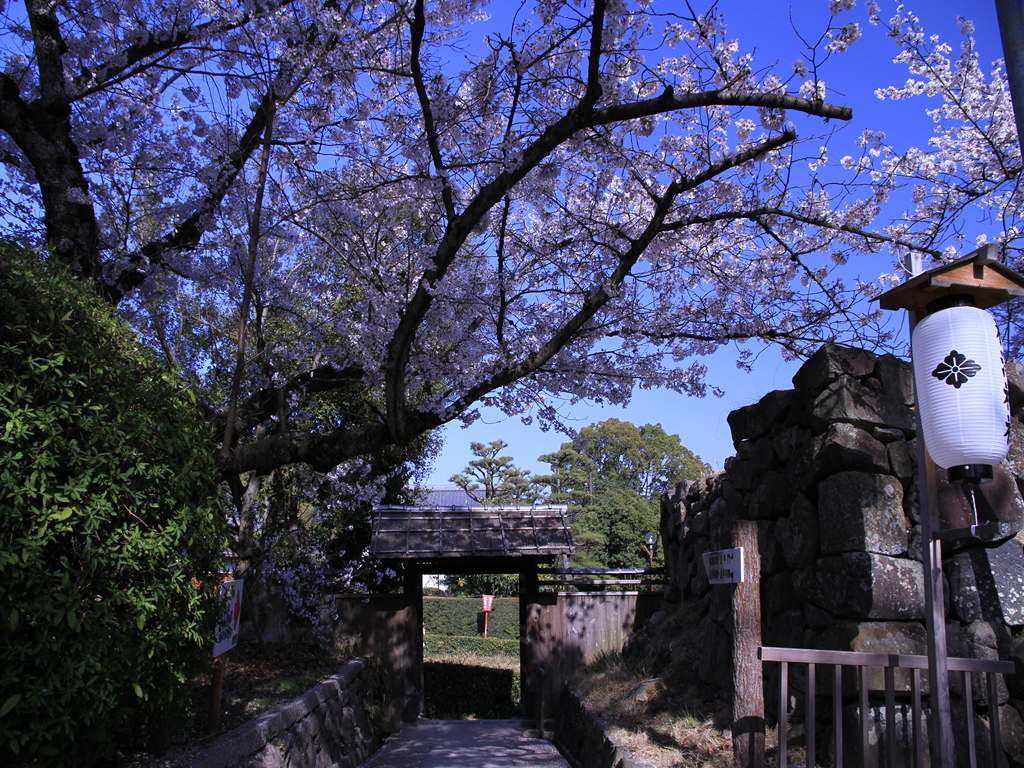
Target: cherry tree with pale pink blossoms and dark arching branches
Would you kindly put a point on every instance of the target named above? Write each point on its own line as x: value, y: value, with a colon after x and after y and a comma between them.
x: 350, y: 223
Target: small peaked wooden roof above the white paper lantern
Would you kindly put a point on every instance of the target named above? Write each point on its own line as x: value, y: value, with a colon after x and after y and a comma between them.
x: 980, y: 276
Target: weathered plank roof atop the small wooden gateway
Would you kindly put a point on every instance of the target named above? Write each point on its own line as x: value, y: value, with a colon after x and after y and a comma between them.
x: 450, y: 533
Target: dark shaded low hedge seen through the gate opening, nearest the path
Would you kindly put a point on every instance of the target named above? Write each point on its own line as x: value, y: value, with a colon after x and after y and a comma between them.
x: 458, y: 691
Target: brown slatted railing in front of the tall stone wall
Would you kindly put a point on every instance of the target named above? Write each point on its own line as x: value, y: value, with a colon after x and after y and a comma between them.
x: 889, y: 663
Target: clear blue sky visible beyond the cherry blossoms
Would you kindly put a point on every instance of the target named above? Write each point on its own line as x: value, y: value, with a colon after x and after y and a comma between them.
x: 852, y: 78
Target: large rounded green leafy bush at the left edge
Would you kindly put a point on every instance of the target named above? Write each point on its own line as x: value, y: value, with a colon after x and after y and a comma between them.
x: 109, y: 526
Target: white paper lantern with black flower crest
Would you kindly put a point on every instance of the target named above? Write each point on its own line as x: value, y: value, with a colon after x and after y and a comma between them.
x: 962, y: 388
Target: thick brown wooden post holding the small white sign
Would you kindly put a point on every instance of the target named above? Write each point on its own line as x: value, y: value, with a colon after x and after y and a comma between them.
x: 748, y: 688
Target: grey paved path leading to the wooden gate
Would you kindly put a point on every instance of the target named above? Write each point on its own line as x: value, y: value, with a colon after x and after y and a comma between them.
x: 466, y: 744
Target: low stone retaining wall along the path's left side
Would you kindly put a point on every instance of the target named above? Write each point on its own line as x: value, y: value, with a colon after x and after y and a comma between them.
x: 339, y: 722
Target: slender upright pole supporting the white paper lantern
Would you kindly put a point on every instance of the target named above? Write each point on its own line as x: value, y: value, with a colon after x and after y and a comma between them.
x: 942, y: 733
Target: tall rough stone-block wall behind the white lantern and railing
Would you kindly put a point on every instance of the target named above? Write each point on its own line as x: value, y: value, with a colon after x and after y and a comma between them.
x: 828, y: 472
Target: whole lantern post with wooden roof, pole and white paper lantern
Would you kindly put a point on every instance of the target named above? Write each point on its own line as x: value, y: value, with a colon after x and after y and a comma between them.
x: 963, y: 417
